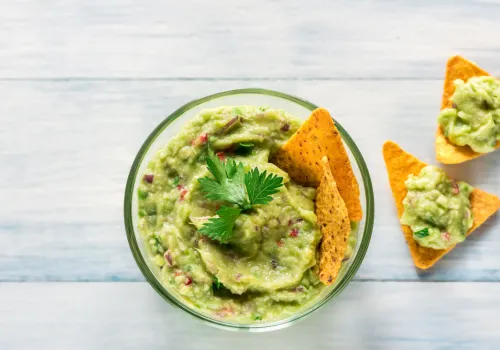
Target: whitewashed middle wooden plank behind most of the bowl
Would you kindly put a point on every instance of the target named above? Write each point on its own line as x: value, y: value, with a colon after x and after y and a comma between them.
x: 66, y: 148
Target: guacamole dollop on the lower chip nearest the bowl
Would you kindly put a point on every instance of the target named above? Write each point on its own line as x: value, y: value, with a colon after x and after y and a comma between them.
x: 437, y: 209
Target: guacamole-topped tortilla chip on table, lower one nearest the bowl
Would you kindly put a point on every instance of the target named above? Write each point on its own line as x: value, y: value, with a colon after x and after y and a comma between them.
x: 405, y: 175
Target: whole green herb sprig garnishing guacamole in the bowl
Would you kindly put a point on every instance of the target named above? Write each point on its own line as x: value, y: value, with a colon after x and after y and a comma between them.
x: 232, y: 185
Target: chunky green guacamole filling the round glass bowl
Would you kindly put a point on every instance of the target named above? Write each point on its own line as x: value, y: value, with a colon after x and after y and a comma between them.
x: 268, y: 269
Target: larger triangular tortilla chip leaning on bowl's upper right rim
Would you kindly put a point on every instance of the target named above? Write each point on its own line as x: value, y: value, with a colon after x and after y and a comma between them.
x: 301, y: 157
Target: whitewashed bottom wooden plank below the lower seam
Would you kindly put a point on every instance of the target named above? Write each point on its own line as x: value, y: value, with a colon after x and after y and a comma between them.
x: 370, y: 315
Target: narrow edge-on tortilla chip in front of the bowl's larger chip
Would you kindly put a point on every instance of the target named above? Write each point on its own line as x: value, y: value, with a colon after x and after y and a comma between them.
x: 334, y: 223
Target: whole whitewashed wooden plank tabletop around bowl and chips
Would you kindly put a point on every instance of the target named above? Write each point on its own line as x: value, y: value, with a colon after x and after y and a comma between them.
x: 82, y: 83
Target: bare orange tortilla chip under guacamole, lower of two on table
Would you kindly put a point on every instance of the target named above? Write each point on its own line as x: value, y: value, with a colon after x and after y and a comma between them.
x: 399, y: 166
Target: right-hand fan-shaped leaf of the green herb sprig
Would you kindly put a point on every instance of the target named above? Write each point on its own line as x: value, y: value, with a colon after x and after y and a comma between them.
x: 260, y: 186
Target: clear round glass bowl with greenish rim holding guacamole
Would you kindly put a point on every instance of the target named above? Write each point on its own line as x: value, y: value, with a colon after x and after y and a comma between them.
x: 171, y: 126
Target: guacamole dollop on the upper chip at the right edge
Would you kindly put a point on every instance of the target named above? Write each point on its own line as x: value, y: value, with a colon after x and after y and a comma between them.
x: 474, y: 119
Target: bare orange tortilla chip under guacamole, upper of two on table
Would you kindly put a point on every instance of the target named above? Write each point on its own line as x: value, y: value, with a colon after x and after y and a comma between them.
x: 446, y: 152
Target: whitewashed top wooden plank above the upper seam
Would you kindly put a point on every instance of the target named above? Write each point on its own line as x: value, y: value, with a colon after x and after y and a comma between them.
x: 246, y: 39
